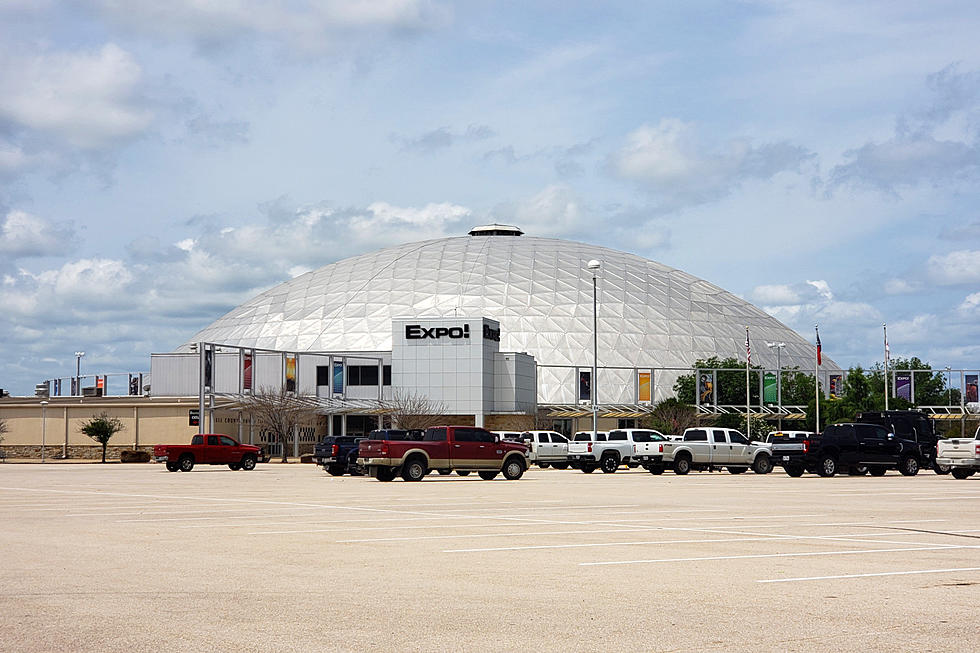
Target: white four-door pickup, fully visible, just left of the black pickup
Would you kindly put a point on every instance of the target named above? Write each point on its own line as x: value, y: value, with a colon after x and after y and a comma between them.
x: 713, y: 448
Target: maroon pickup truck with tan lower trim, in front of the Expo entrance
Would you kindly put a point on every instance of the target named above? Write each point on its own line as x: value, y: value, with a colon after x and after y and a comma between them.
x: 462, y: 448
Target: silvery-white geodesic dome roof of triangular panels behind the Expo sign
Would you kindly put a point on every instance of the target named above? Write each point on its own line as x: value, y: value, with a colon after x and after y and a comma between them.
x: 539, y: 289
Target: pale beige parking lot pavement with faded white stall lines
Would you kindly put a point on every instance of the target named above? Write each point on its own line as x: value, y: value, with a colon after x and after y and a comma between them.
x: 287, y: 558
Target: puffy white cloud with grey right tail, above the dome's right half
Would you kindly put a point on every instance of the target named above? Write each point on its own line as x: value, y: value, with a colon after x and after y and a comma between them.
x: 668, y: 160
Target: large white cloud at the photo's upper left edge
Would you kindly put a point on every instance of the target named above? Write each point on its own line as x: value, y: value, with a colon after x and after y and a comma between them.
x: 88, y: 99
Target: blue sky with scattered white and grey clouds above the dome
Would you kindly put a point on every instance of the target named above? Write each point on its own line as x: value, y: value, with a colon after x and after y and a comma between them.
x: 161, y: 163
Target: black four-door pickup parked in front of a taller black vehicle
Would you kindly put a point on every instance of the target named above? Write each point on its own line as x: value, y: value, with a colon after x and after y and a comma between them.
x: 842, y: 446
